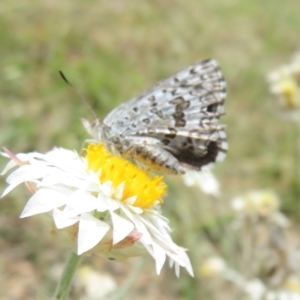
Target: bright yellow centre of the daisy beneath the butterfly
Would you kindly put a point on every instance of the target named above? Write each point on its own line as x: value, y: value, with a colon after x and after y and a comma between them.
x: 147, y: 188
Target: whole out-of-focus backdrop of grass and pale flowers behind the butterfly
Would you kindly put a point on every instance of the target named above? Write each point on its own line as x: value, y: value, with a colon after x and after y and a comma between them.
x: 113, y: 50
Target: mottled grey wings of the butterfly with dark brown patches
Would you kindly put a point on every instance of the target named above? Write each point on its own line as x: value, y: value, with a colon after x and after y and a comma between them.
x: 181, y: 113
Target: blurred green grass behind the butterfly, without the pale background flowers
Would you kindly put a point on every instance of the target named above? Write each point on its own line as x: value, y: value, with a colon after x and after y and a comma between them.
x: 111, y: 51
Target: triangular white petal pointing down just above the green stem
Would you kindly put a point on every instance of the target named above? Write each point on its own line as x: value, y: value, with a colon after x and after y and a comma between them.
x: 91, y: 231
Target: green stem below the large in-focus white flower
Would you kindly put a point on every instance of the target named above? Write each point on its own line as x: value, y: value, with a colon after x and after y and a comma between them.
x: 63, y: 287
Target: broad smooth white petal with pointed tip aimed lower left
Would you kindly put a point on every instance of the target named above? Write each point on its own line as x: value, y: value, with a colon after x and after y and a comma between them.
x: 45, y: 200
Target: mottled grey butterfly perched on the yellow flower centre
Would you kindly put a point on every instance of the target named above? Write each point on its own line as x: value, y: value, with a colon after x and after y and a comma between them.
x: 173, y: 126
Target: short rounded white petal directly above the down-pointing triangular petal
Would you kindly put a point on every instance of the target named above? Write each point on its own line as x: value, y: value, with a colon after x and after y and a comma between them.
x: 80, y: 201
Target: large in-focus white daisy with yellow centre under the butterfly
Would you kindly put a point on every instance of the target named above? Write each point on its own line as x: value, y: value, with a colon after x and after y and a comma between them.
x: 102, y: 204
